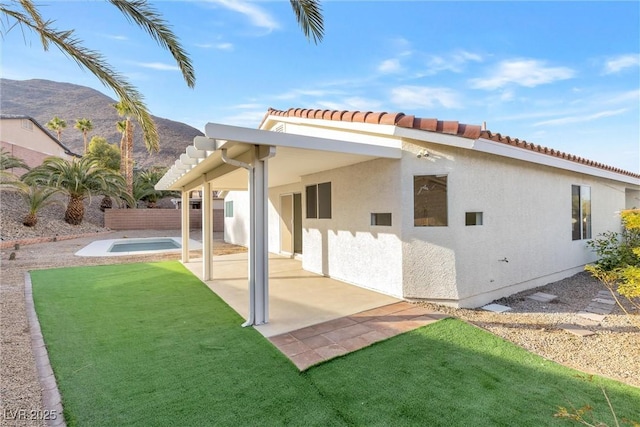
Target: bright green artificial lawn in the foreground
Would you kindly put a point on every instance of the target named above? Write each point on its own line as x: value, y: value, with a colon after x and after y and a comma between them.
x: 149, y: 344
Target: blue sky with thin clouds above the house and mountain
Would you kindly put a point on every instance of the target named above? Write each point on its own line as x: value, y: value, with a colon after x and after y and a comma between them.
x: 565, y: 75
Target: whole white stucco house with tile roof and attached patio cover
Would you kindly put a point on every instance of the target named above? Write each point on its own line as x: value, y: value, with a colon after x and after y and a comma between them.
x: 416, y: 208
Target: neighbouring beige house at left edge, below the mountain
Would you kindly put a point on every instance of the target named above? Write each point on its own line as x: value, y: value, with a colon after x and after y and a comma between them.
x: 23, y: 137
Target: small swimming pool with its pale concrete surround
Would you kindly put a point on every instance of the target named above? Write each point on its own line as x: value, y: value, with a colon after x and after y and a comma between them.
x: 138, y: 246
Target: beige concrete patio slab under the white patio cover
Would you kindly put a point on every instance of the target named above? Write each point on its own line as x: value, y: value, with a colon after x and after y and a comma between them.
x: 297, y: 298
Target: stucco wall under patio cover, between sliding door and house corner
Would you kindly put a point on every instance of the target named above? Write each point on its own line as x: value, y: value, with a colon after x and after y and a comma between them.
x: 347, y: 247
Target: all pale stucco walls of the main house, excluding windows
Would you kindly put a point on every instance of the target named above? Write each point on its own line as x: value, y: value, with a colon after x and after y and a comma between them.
x: 525, y: 240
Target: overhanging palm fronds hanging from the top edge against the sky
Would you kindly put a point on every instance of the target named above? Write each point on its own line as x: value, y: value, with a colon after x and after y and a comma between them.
x: 26, y: 14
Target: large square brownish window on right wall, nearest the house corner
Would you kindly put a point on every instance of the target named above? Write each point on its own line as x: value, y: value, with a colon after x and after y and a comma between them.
x: 430, y: 201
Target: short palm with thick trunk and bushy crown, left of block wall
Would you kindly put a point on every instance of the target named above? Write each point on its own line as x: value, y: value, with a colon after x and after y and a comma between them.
x: 79, y: 179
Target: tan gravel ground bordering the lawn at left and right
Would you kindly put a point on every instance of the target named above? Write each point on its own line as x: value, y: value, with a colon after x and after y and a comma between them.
x: 613, y: 351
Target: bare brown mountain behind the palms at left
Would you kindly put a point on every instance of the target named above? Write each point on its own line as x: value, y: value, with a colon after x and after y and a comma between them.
x: 45, y: 99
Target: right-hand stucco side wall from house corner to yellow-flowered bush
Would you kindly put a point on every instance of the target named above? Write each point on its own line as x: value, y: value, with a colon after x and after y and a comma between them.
x: 527, y: 222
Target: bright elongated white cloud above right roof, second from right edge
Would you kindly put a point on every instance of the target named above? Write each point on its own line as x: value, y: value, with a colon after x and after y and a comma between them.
x: 523, y: 72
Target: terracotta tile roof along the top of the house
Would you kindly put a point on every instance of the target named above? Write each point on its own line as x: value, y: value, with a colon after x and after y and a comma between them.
x: 435, y: 125
